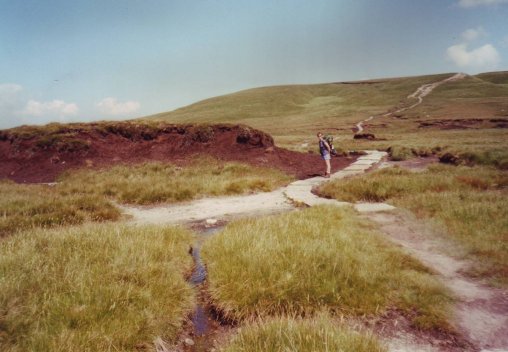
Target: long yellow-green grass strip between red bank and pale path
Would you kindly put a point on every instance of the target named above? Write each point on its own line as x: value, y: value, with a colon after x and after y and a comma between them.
x: 156, y: 182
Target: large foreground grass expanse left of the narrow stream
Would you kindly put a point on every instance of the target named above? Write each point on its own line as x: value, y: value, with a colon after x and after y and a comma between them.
x: 93, y: 288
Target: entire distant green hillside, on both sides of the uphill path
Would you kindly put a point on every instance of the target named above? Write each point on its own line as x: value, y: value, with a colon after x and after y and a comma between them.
x: 293, y: 114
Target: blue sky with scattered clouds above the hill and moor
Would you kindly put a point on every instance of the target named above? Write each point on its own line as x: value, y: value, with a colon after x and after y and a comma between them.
x: 86, y: 60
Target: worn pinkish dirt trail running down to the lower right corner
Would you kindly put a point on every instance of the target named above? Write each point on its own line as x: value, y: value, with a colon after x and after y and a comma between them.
x: 481, y: 313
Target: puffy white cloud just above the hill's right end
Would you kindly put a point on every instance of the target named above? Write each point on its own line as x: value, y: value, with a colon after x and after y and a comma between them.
x: 483, y: 57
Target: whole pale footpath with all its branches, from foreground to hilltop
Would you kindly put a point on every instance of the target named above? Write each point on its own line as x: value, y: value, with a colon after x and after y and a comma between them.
x: 481, y: 312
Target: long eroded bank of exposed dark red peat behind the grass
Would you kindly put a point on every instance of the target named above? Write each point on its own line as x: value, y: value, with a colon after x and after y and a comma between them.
x: 40, y: 154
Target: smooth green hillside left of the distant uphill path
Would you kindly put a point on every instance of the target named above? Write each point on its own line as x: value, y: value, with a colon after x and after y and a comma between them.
x: 291, y: 113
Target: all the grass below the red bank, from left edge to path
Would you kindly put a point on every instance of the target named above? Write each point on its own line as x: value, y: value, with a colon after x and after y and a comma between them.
x: 86, y: 194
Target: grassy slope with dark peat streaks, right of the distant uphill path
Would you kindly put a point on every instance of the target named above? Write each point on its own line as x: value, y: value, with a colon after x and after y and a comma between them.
x: 466, y: 117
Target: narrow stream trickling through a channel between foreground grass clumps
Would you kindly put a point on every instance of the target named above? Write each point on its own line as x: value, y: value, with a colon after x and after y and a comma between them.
x: 201, y: 316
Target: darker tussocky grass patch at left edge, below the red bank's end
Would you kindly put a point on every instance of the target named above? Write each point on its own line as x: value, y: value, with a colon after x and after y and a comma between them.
x: 30, y: 206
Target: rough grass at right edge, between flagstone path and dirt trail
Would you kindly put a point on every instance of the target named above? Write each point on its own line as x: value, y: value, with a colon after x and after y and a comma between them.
x: 469, y: 202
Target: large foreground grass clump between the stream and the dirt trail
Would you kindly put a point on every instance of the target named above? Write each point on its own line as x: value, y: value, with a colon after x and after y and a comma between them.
x: 319, y: 258
